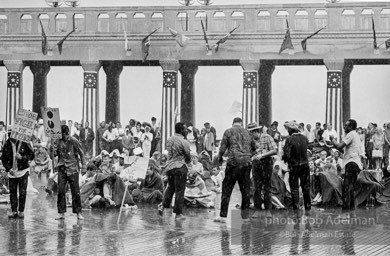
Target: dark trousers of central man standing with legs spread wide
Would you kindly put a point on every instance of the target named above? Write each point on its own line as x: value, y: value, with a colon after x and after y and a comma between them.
x: 233, y: 174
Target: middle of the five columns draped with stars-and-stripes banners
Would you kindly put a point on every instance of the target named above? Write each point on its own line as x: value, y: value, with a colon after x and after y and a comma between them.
x: 170, y: 111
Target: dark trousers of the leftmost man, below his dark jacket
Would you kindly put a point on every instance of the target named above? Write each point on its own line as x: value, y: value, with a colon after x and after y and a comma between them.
x: 14, y: 184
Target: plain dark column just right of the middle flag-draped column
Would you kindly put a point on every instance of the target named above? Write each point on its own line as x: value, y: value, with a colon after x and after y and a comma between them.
x: 187, y: 106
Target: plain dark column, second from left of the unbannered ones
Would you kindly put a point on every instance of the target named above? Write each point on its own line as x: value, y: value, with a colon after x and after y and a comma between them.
x: 113, y: 70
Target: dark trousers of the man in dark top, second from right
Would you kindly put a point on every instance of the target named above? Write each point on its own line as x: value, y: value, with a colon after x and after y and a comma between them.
x: 301, y: 173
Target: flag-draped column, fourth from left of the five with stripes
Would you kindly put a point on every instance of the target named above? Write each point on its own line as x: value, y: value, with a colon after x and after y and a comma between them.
x: 250, y: 103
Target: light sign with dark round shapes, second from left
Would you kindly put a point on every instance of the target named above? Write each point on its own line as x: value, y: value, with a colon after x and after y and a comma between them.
x: 51, y: 122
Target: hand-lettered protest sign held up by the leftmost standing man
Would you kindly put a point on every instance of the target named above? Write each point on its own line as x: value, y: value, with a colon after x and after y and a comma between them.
x: 23, y: 127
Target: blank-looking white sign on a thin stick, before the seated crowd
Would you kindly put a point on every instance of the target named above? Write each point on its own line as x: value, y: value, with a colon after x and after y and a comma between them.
x: 135, y: 167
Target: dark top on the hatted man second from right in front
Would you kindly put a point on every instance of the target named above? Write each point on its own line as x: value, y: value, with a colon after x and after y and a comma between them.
x: 295, y: 150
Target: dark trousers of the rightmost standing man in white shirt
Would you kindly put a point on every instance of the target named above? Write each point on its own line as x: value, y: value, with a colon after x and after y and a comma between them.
x: 351, y: 172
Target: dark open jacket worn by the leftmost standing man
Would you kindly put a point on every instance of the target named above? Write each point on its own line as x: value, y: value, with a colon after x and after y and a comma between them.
x: 8, y: 159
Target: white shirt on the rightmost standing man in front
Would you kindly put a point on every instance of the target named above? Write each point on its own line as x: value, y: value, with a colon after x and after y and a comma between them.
x: 352, y: 151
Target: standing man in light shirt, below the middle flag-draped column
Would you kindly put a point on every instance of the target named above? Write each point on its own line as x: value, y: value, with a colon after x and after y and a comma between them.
x: 176, y: 170
